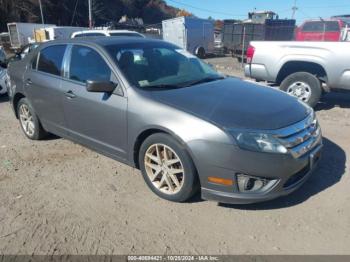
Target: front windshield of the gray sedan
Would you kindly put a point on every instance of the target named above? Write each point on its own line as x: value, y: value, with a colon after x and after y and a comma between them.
x: 160, y: 65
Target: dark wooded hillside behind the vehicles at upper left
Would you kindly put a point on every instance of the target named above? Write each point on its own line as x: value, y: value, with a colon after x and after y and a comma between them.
x: 75, y: 12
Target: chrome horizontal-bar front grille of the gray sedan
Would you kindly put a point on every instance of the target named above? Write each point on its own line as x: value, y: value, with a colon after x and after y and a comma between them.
x: 301, y: 137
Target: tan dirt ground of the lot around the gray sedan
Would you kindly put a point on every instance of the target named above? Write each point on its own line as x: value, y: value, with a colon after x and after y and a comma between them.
x: 57, y: 197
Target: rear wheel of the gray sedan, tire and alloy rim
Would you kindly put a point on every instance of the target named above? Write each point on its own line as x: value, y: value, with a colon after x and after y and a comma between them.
x: 34, y: 130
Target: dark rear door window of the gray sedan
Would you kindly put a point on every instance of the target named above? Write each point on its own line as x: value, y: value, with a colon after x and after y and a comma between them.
x: 51, y: 59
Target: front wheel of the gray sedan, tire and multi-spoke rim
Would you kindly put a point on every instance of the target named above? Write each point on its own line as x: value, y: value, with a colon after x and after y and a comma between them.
x: 161, y: 143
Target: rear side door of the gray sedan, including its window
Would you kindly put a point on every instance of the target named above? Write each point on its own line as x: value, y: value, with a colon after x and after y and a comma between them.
x: 42, y: 83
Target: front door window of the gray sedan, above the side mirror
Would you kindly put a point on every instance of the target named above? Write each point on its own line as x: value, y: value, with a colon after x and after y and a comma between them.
x: 87, y: 64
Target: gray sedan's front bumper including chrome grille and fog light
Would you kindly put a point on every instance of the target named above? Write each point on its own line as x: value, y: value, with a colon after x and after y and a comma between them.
x: 279, y: 174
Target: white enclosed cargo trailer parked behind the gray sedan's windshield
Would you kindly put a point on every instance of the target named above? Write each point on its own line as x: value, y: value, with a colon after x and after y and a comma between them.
x: 193, y: 34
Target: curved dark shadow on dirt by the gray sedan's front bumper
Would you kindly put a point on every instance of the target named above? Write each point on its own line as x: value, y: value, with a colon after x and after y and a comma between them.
x: 330, y: 170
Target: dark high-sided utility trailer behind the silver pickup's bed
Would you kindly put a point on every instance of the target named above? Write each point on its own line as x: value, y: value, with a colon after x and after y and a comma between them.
x: 238, y: 35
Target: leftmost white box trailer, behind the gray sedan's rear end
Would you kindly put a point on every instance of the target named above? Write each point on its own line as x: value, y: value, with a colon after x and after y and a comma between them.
x: 20, y: 33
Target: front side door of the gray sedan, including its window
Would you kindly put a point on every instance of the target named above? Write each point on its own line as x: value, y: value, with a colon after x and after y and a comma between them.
x: 97, y: 120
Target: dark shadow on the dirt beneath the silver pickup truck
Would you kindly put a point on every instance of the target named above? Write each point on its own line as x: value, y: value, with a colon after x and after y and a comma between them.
x: 334, y: 99
